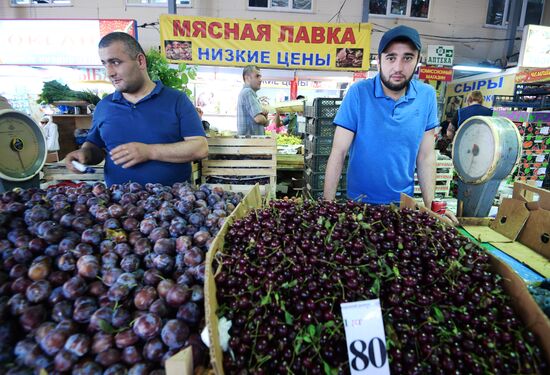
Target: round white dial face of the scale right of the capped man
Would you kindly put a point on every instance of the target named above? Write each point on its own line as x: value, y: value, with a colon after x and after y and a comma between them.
x: 474, y: 151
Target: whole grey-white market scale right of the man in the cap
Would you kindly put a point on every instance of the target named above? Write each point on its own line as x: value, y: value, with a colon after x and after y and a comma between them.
x: 485, y: 151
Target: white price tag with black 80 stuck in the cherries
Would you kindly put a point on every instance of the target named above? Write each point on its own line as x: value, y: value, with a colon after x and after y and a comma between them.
x: 365, y: 337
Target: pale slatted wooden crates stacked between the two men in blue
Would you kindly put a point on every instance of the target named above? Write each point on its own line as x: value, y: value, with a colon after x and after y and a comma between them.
x: 250, y: 158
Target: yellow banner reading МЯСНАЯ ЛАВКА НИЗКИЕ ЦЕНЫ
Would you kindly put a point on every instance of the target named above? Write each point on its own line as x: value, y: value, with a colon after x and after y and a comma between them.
x: 273, y: 44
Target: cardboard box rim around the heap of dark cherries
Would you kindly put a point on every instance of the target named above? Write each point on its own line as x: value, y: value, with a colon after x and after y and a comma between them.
x: 527, y: 309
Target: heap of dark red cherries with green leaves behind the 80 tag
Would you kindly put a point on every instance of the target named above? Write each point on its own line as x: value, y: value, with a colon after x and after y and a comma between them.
x: 286, y: 269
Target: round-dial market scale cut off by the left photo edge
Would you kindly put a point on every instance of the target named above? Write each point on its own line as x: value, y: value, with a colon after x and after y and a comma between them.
x: 22, y: 151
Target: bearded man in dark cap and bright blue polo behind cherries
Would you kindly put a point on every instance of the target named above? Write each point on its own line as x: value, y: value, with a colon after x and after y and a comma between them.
x: 387, y: 124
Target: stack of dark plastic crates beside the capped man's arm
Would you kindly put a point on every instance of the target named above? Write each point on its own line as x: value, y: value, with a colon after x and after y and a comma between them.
x: 318, y: 144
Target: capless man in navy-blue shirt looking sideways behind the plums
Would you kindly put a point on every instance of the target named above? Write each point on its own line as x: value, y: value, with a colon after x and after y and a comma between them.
x: 146, y: 132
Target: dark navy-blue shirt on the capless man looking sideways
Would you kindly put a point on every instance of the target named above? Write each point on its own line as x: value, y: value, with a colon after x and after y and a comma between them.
x: 164, y: 116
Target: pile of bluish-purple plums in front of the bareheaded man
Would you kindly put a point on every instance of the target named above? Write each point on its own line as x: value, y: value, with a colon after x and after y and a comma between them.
x: 97, y: 280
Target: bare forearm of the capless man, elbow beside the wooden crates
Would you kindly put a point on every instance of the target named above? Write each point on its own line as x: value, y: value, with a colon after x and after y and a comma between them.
x: 180, y: 152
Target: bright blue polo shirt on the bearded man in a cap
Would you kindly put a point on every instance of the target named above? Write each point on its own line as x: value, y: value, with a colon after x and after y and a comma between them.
x: 388, y: 133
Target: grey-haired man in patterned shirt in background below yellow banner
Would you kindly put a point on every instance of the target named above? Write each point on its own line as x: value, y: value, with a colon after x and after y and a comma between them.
x: 251, y: 116
